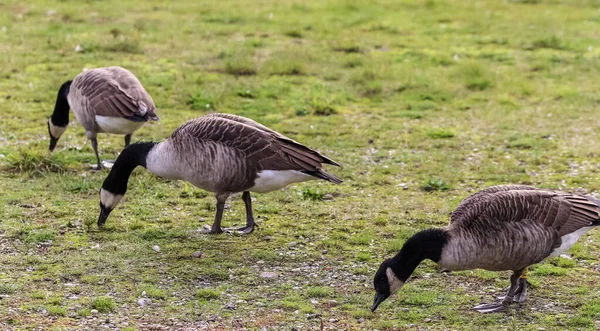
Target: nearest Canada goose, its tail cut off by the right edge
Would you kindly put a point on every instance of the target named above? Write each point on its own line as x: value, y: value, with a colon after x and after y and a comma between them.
x: 507, y: 227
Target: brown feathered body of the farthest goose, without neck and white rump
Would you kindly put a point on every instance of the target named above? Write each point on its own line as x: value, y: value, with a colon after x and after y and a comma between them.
x: 111, y: 92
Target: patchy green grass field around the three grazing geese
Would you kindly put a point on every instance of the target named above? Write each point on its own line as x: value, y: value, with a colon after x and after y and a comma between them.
x: 422, y: 101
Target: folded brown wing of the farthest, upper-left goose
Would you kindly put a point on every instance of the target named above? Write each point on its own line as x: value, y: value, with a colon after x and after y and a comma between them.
x: 115, y: 92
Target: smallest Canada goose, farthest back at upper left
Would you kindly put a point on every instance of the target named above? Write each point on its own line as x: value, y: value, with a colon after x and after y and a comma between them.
x: 110, y: 100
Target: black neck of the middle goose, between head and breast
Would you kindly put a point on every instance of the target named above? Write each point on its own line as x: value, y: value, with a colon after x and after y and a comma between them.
x: 132, y: 156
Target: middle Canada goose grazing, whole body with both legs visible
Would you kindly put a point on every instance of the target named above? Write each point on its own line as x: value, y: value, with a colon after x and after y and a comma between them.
x: 221, y: 153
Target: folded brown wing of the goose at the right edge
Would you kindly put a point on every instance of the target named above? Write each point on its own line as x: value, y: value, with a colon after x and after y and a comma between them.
x: 562, y: 211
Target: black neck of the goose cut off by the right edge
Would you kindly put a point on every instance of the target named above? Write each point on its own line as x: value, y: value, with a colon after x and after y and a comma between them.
x: 427, y: 244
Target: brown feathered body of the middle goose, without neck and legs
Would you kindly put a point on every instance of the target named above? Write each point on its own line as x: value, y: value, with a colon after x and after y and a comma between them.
x: 228, y: 154
